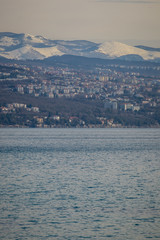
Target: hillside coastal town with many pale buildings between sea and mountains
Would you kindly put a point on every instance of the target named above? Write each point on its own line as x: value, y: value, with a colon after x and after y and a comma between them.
x: 114, y: 94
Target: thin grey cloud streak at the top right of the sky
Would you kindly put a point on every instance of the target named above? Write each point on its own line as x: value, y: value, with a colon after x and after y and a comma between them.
x: 131, y: 1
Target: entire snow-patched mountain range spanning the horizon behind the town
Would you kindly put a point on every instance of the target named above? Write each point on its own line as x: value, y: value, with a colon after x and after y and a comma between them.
x: 25, y: 46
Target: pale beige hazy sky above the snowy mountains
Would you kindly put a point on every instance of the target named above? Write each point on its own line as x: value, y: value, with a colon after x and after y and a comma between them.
x: 129, y: 21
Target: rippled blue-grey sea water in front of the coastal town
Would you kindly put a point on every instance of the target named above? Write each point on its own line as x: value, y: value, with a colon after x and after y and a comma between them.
x: 80, y: 183
